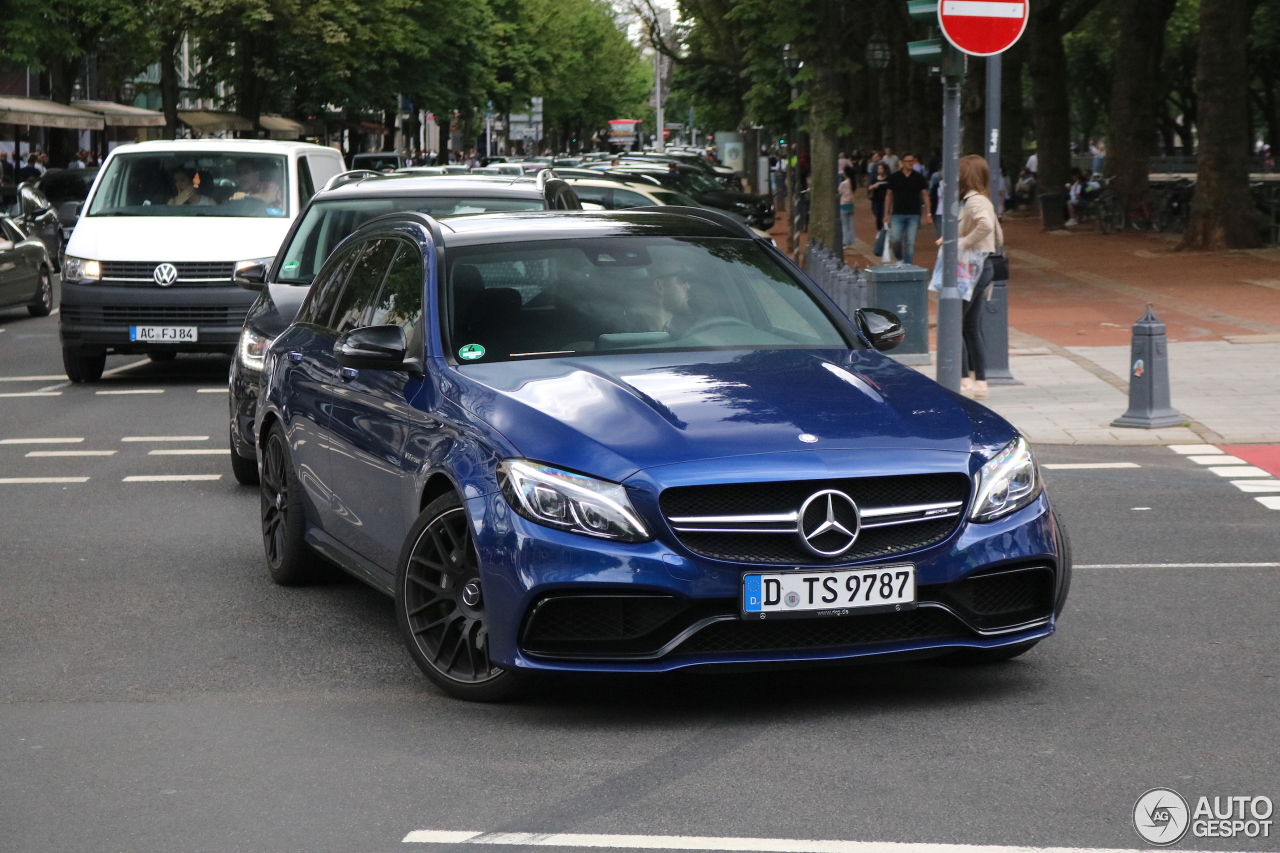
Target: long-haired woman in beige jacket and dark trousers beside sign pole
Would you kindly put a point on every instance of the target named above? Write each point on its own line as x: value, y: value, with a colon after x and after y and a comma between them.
x: 980, y: 235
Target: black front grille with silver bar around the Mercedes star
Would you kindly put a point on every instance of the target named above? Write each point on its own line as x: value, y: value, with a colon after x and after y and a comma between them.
x: 756, y: 523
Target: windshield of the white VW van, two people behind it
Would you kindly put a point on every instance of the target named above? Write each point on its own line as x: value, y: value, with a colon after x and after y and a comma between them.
x: 194, y: 184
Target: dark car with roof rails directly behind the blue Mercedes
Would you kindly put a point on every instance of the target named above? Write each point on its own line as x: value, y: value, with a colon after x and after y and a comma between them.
x: 331, y: 217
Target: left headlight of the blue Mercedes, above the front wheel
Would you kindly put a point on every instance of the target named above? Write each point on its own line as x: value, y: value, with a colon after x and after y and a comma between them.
x: 570, y: 501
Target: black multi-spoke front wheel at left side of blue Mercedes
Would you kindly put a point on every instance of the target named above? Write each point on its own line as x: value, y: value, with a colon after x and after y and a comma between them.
x: 445, y: 631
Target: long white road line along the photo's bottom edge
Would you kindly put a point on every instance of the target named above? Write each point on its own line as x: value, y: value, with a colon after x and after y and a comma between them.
x: 708, y: 843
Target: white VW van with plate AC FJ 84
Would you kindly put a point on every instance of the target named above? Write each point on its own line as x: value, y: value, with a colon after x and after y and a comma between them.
x: 152, y: 263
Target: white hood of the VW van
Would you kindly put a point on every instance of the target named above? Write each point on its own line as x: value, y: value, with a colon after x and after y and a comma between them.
x: 177, y: 239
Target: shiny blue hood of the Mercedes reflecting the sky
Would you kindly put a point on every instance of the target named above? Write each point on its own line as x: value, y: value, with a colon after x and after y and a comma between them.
x: 615, y: 416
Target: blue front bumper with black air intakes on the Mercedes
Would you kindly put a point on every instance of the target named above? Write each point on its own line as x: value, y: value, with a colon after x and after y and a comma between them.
x: 525, y: 567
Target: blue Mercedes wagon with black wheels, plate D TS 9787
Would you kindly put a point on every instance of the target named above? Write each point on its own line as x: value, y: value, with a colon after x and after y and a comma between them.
x: 637, y: 443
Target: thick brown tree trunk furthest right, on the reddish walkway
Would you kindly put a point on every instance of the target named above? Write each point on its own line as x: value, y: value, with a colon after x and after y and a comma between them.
x: 1223, y: 211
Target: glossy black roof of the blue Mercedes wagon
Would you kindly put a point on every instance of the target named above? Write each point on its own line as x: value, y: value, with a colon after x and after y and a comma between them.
x: 482, y: 230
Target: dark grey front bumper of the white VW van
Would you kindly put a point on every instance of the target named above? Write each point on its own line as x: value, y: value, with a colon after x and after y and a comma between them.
x: 98, y: 317
